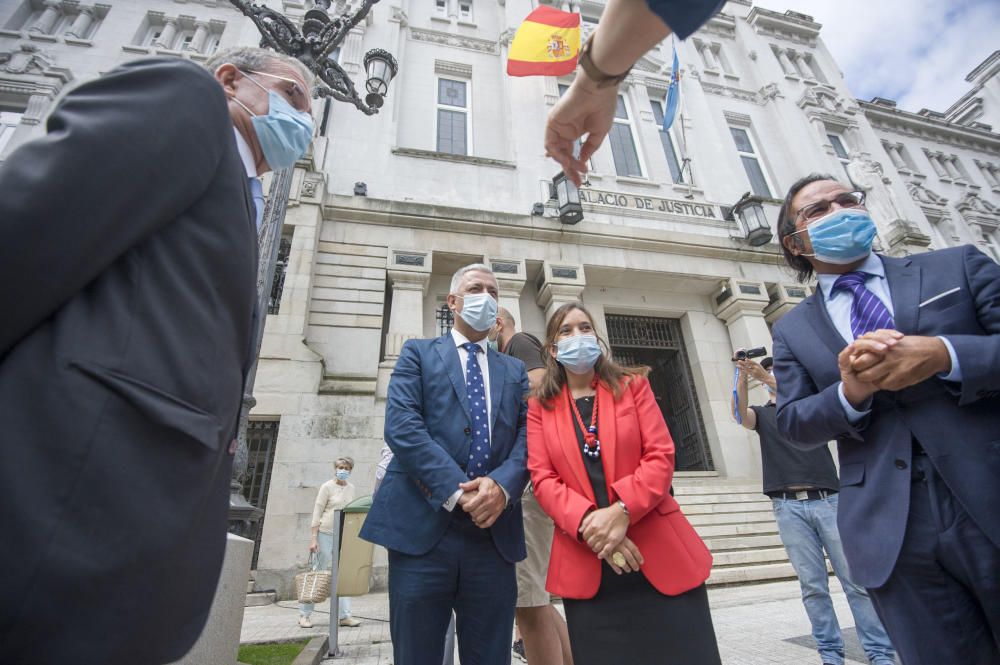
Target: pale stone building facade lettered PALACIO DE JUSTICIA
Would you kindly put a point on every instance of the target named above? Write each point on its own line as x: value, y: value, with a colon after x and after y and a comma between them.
x: 763, y: 104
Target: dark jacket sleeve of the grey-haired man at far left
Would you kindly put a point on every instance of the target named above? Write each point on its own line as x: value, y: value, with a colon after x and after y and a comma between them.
x: 124, y: 155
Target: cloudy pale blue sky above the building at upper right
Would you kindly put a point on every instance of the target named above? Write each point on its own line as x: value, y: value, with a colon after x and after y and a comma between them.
x: 916, y: 52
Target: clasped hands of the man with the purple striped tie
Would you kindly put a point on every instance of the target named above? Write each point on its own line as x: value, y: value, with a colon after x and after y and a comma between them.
x: 889, y: 360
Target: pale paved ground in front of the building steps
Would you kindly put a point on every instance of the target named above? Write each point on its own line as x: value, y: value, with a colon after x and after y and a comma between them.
x: 756, y: 625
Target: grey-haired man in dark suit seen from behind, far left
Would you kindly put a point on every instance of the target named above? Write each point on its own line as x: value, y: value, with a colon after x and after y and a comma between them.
x: 128, y: 238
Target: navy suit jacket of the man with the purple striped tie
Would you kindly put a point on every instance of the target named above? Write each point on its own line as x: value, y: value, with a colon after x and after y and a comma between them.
x: 958, y: 424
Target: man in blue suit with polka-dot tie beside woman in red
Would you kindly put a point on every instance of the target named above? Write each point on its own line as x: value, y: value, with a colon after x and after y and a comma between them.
x: 448, y: 509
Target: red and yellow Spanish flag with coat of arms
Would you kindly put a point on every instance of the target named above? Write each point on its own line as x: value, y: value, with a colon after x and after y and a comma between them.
x: 546, y: 44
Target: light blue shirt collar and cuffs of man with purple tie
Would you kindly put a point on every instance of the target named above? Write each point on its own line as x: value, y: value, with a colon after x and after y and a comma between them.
x: 838, y: 306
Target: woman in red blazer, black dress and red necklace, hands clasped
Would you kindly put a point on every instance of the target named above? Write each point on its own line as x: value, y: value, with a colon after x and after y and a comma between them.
x: 630, y: 568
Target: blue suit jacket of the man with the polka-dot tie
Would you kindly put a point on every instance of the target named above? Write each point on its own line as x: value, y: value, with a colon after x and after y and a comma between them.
x: 427, y: 426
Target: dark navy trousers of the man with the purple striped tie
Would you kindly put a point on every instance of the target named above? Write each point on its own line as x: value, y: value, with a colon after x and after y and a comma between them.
x: 941, y: 604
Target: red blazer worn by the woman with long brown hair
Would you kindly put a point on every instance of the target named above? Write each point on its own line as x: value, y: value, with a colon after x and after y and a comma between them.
x: 638, y: 456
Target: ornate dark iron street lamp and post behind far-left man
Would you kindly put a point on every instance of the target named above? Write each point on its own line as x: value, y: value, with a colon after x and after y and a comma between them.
x: 319, y: 37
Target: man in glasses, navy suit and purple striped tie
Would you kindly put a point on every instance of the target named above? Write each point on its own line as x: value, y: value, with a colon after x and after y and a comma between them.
x: 898, y: 359
